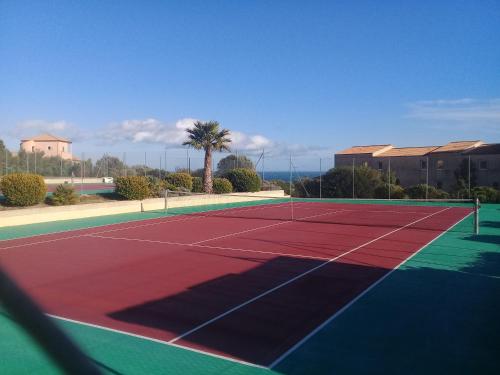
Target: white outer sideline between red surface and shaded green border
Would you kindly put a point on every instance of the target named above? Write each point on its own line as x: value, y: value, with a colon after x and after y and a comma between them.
x: 354, y: 300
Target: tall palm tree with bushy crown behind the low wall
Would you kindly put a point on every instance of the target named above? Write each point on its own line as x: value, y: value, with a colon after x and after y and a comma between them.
x: 207, y: 136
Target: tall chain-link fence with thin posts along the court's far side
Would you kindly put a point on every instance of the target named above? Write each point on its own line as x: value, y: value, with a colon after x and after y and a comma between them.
x: 303, y: 176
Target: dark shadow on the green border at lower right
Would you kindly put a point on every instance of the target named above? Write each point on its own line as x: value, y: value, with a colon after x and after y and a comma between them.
x: 420, y: 321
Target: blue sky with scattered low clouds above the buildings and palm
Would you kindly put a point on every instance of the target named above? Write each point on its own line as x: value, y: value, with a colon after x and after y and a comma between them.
x: 309, y: 77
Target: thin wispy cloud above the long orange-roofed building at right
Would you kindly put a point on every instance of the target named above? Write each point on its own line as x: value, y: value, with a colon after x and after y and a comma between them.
x: 457, y: 110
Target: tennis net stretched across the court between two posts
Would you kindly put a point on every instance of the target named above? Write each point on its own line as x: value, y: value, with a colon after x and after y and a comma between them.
x: 365, y: 212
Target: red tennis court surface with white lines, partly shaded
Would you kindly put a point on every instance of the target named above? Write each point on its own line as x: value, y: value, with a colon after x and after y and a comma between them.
x: 245, y: 283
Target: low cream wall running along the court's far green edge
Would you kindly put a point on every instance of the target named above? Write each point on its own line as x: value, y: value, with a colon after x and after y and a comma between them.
x: 45, y: 214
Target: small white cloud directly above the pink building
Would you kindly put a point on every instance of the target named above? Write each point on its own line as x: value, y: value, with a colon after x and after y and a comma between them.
x: 34, y: 127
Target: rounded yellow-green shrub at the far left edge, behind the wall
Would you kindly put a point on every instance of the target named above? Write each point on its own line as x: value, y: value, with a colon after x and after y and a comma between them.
x: 23, y: 189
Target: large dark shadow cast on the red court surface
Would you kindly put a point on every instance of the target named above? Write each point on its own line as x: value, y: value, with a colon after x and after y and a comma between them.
x: 265, y: 328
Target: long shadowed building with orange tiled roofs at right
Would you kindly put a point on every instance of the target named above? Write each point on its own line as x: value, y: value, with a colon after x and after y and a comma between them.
x: 436, y: 165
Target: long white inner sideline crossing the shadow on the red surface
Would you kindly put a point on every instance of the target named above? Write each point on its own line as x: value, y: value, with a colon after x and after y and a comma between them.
x: 200, y: 326
